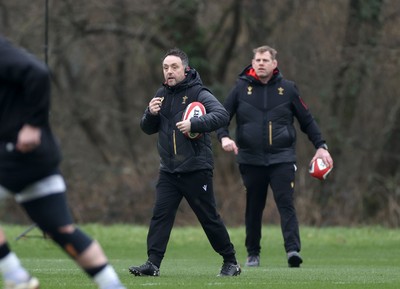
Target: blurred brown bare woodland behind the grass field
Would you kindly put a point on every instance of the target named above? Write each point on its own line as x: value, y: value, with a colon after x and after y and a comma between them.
x: 105, y: 58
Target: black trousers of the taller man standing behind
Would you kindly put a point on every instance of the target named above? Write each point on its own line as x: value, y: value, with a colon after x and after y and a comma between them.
x: 281, y: 178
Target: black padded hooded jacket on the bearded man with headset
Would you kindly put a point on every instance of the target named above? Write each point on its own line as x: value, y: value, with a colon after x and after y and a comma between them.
x: 178, y: 153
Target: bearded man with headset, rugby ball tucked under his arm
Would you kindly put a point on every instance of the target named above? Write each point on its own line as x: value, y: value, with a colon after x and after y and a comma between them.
x: 186, y: 169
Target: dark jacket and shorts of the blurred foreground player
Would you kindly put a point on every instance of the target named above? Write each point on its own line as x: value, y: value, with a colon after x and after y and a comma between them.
x: 24, y: 99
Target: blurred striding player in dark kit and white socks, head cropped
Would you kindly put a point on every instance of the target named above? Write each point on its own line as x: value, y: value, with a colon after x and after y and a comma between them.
x: 29, y: 160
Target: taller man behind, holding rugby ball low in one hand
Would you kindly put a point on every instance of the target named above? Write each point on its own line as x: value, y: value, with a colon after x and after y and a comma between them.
x: 265, y: 105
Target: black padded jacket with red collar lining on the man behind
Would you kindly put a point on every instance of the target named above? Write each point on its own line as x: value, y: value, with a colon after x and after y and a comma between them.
x: 265, y: 113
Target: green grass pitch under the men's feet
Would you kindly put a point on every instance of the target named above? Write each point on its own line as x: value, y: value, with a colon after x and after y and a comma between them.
x: 367, y: 257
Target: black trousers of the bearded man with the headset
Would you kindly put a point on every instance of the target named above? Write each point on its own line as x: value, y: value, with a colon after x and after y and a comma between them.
x: 197, y: 189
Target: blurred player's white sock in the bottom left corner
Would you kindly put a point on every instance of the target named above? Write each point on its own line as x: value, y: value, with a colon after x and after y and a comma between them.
x: 12, y: 270
